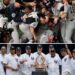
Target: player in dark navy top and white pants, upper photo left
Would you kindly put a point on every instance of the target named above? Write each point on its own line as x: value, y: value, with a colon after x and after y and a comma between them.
x: 13, y: 9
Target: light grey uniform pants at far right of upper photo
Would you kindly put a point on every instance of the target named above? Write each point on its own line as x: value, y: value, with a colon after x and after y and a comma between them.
x: 67, y: 30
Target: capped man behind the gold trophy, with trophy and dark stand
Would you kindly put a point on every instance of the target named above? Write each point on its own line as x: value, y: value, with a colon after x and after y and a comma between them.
x: 39, y: 62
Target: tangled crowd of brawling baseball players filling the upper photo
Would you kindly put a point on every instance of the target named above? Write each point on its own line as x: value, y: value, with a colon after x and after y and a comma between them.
x: 37, y: 21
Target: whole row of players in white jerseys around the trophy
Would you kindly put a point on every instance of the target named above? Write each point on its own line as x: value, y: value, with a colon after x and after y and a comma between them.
x: 24, y: 64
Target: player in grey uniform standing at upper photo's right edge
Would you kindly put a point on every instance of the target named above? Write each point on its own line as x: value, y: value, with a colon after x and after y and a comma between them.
x: 71, y: 24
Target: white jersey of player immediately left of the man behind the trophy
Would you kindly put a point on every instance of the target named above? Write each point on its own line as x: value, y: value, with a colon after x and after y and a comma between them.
x: 26, y: 66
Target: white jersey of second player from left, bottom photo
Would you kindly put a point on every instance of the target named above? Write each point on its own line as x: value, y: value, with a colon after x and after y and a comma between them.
x: 11, y: 61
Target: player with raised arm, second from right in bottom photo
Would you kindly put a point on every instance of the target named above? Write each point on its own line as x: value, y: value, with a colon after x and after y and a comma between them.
x: 66, y: 61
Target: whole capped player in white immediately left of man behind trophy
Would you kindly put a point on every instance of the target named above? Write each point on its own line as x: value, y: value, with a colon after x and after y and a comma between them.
x: 25, y: 61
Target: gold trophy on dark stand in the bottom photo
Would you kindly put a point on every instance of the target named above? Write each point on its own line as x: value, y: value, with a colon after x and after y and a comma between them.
x: 40, y: 63
